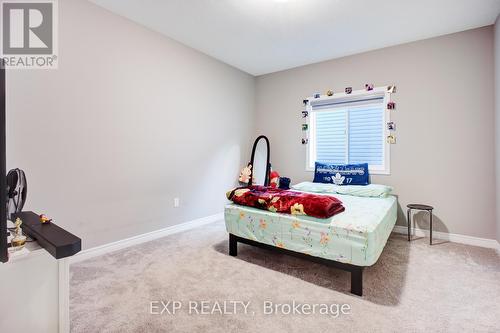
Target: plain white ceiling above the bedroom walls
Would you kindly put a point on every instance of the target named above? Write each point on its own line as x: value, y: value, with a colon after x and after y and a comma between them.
x: 264, y: 36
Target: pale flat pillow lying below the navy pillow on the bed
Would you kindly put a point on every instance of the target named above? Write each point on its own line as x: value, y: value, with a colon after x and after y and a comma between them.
x: 371, y: 190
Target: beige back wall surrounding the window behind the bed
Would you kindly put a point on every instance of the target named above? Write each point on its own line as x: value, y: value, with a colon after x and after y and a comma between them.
x: 444, y: 119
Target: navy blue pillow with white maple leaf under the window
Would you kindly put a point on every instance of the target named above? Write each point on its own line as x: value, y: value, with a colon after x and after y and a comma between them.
x: 341, y: 174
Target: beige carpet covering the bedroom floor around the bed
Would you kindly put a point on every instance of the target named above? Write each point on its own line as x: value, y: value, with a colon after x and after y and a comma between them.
x: 413, y: 287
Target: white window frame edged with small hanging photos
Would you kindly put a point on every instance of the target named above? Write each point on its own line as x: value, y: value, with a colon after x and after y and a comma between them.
x: 385, y: 169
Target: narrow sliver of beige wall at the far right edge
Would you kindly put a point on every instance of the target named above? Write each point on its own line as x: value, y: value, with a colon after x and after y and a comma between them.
x: 497, y: 118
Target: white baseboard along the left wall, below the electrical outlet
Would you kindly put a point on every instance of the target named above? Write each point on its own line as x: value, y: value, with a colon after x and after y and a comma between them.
x: 121, y: 244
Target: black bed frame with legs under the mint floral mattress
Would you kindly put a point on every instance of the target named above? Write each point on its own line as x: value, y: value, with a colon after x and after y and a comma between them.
x: 356, y: 271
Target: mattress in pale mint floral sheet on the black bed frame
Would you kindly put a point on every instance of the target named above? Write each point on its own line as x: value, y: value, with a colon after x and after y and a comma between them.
x: 356, y: 236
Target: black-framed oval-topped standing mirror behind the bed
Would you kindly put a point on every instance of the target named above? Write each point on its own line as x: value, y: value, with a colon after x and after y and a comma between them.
x: 260, y: 162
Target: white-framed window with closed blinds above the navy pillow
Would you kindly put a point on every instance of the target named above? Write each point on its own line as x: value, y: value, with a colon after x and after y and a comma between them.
x: 350, y: 129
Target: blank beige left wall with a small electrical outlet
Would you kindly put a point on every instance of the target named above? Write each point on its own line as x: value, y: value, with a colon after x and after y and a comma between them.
x: 129, y: 121
